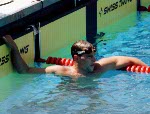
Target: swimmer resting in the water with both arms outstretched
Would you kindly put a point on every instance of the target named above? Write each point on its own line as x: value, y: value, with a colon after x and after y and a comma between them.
x: 83, y: 57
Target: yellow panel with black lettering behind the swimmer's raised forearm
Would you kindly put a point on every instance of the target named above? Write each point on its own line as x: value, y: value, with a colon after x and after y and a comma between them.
x: 26, y: 49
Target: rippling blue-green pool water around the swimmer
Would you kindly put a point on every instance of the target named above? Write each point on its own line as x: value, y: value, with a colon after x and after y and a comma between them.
x: 115, y: 92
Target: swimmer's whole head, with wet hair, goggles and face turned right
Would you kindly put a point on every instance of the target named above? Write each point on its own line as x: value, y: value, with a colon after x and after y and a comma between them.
x: 83, y: 53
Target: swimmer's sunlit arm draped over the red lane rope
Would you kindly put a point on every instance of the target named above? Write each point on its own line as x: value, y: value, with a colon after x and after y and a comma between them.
x: 119, y: 62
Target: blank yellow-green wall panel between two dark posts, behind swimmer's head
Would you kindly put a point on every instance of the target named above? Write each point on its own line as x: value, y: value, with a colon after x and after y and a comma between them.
x: 63, y: 31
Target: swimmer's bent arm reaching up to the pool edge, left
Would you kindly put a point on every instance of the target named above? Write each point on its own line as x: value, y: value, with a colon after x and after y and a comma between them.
x: 21, y: 66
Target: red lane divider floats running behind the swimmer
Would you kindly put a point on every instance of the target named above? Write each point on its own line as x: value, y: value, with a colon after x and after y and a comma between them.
x: 69, y: 62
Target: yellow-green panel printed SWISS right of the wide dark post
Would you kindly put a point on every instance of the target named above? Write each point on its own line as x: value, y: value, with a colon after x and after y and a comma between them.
x: 113, y: 10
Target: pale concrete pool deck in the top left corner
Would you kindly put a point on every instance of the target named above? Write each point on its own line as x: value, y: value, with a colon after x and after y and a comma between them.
x: 12, y: 10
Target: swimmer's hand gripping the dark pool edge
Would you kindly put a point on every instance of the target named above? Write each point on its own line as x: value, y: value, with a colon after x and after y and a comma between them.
x: 10, y: 42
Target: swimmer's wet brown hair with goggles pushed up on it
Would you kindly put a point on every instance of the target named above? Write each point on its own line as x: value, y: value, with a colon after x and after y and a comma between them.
x: 82, y: 47
